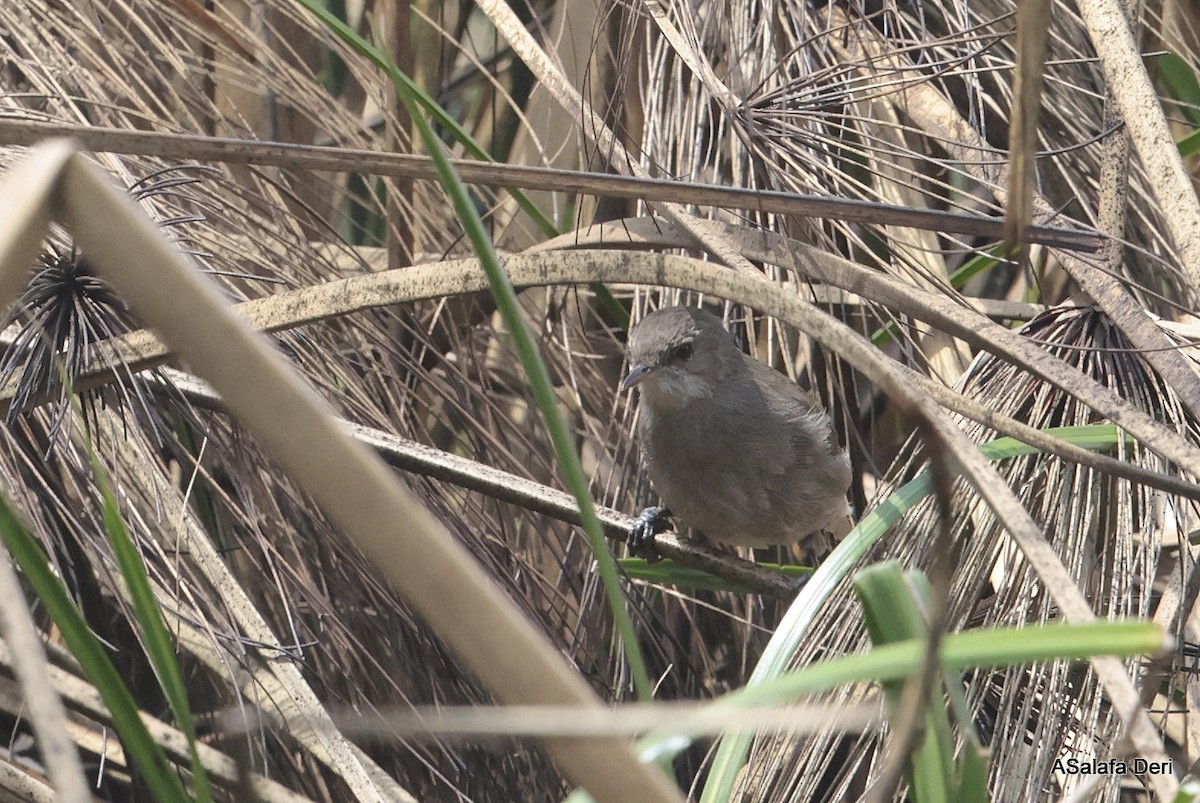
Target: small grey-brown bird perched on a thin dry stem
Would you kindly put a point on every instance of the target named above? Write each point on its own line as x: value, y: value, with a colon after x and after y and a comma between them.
x: 735, y: 448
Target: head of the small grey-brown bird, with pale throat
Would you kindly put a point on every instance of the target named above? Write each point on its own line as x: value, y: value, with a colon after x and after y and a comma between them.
x: 679, y: 356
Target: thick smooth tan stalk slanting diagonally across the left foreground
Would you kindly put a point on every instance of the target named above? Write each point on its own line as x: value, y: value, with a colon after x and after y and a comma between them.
x: 352, y: 486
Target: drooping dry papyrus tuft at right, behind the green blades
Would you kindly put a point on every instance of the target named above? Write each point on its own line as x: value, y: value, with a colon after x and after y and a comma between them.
x: 1109, y: 534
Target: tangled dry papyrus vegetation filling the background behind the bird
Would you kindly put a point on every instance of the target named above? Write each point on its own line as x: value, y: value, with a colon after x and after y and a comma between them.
x: 907, y: 105
